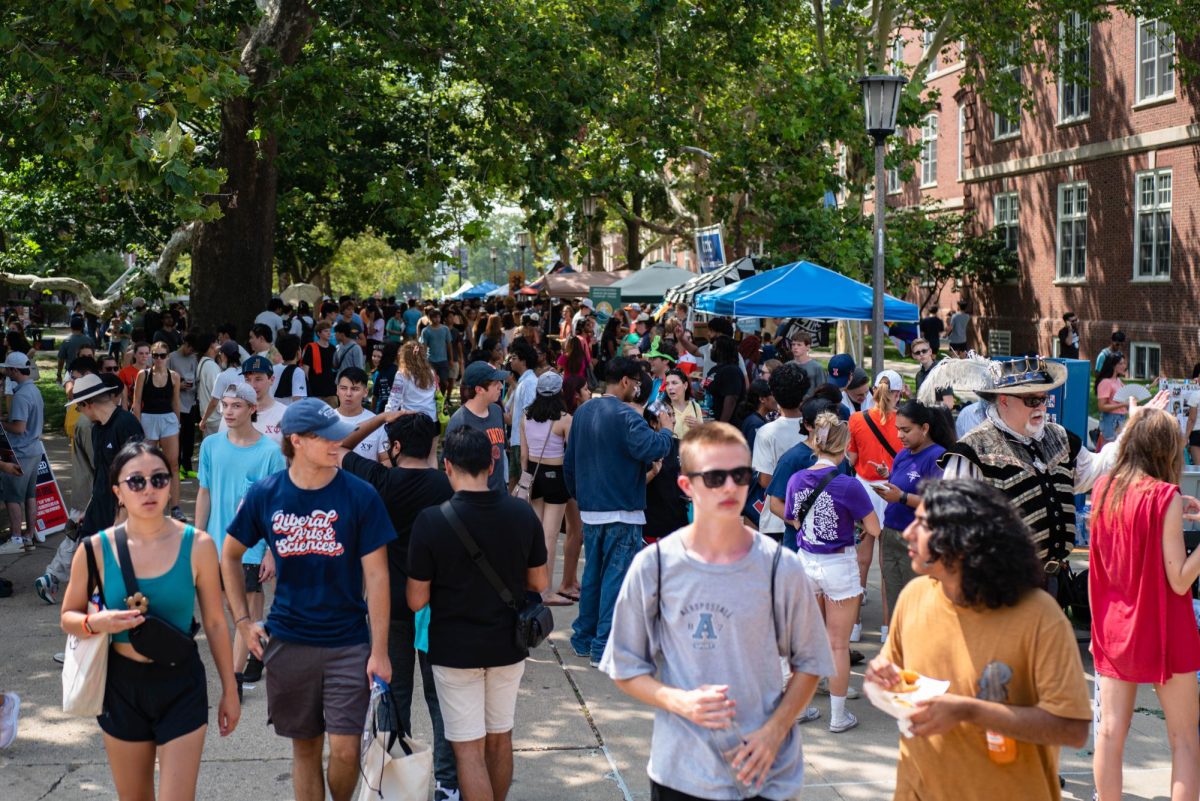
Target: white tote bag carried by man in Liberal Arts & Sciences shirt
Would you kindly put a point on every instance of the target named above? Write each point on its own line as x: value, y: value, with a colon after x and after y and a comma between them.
x: 395, y: 768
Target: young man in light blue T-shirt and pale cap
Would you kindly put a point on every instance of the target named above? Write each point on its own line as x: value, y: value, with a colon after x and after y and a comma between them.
x: 232, y: 461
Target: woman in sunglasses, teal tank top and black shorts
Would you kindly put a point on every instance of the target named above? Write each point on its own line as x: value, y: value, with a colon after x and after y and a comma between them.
x: 154, y: 712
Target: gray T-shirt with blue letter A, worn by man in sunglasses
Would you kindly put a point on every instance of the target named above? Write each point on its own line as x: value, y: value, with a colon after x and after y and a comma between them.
x: 717, y: 629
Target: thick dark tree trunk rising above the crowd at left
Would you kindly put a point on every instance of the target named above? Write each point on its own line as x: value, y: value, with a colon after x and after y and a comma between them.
x: 233, y: 257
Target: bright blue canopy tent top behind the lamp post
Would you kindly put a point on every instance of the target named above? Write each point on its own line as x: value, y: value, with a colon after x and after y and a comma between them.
x: 806, y: 291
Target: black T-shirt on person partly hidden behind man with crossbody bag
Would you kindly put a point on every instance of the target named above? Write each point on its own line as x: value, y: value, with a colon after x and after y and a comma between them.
x: 406, y: 493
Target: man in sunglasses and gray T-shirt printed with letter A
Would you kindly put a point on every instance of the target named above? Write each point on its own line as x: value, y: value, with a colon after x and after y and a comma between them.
x: 700, y: 627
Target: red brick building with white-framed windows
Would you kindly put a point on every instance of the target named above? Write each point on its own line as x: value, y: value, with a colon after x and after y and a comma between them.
x: 1097, y: 189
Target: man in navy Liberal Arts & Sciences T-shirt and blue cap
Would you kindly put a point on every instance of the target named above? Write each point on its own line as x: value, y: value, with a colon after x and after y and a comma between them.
x: 328, y: 532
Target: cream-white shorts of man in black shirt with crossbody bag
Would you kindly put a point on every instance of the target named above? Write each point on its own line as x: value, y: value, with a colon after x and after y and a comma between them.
x: 478, y: 701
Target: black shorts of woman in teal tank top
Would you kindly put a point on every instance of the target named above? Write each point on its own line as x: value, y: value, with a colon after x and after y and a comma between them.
x: 148, y: 702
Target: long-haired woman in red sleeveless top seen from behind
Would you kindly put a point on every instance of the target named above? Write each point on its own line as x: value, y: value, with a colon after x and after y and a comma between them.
x: 1141, y: 586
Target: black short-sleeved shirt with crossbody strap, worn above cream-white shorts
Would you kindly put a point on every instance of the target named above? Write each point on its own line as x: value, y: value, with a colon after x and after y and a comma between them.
x: 470, y: 627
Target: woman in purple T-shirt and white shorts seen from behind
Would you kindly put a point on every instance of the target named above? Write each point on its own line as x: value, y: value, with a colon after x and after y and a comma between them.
x: 825, y: 531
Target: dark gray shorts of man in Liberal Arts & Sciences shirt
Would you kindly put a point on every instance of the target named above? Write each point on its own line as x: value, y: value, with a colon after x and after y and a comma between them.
x: 313, y: 690
